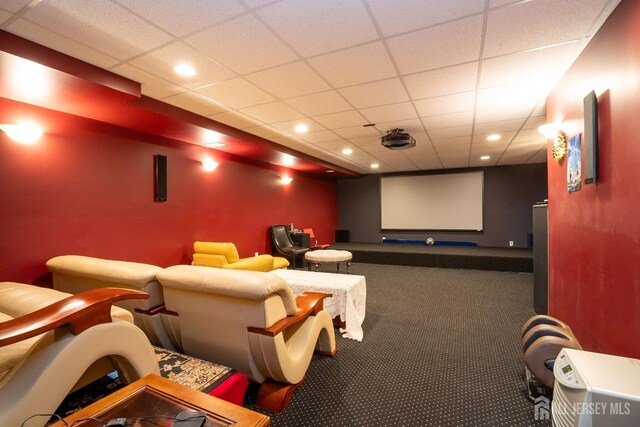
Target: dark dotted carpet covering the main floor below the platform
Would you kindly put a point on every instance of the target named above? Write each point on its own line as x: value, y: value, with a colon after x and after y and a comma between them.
x: 440, y: 348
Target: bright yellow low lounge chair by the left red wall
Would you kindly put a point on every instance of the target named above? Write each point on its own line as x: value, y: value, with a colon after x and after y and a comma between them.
x: 225, y: 255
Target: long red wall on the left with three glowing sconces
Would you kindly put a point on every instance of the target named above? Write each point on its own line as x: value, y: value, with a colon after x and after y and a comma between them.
x: 87, y: 188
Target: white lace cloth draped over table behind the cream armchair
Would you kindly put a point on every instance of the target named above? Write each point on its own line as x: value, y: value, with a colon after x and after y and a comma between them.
x: 349, y: 295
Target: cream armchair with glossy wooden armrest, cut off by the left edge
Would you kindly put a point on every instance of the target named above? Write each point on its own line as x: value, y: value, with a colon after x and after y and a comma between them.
x: 50, y: 341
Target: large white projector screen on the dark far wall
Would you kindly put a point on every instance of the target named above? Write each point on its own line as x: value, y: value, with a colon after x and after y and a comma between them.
x: 432, y: 202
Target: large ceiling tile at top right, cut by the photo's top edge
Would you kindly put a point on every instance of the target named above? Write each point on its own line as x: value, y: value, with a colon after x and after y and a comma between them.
x: 533, y: 24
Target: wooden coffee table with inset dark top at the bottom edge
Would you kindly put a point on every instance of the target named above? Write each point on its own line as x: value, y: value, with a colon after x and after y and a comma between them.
x: 159, y: 397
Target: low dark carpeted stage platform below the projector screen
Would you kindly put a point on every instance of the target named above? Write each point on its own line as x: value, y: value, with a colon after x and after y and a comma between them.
x: 474, y: 258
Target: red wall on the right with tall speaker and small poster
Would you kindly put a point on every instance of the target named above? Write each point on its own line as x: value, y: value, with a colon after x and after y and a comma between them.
x: 594, y: 234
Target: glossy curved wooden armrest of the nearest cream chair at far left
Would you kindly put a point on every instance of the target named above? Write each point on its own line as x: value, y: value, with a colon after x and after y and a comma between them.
x: 80, y: 312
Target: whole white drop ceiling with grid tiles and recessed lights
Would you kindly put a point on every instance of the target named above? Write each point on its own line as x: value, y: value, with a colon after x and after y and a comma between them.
x: 449, y: 72
